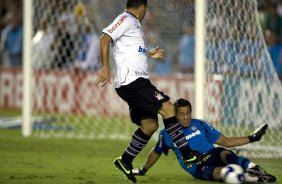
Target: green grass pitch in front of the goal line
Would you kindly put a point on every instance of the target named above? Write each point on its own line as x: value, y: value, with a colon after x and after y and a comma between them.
x: 44, y: 161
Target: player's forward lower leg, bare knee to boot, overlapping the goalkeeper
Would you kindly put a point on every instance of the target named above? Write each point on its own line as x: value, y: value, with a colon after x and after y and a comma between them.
x: 175, y: 131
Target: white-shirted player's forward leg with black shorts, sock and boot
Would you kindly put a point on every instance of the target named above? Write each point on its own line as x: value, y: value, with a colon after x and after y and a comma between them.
x: 143, y: 95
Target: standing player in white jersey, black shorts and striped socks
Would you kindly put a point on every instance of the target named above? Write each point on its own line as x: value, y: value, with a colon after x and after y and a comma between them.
x: 132, y: 84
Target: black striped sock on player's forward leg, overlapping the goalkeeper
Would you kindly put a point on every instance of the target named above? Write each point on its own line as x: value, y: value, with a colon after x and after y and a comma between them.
x: 175, y: 131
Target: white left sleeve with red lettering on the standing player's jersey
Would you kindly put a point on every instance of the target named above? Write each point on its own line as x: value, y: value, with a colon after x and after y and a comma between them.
x: 118, y: 27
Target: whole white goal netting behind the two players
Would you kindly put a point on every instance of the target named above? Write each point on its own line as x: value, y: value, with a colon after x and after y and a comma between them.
x: 242, y: 90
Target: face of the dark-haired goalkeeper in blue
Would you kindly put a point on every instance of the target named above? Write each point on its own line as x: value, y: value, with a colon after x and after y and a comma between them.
x: 183, y: 115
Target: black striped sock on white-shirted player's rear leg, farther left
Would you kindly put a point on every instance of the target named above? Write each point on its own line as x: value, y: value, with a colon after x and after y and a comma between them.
x: 138, y: 141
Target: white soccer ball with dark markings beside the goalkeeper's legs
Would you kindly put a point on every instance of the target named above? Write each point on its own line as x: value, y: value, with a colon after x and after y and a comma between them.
x: 232, y: 173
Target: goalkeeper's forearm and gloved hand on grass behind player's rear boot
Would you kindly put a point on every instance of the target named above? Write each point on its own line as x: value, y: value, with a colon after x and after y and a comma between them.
x: 151, y: 160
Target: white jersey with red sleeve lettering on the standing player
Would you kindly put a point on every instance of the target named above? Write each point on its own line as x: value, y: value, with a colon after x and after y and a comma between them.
x: 129, y: 49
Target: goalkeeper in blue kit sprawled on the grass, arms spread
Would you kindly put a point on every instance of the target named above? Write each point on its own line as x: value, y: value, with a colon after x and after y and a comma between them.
x: 201, y: 136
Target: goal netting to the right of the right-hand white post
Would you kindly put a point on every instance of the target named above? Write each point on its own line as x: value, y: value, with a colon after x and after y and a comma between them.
x: 237, y: 57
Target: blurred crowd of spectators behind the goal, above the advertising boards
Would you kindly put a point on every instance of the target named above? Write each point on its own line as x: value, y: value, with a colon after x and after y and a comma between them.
x: 66, y: 34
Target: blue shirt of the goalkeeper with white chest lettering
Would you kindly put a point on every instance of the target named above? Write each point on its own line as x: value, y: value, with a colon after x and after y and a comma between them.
x: 200, y: 136
